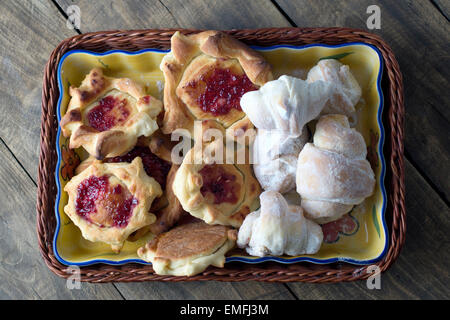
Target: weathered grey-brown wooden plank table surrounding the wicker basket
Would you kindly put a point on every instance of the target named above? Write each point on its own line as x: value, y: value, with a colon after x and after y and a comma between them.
x: 418, y: 32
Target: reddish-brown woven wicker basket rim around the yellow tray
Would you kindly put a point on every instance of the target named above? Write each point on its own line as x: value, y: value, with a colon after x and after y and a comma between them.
x: 393, y: 118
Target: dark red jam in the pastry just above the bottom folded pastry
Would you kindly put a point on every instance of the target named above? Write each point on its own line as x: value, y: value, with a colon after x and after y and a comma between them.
x: 220, y: 183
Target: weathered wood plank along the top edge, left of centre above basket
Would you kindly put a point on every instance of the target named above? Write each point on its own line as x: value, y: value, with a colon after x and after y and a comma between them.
x: 135, y: 14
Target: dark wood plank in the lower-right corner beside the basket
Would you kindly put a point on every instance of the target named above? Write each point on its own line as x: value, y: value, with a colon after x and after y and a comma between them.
x: 421, y: 271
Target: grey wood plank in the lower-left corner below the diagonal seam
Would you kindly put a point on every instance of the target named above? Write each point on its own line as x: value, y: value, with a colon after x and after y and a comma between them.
x: 23, y: 274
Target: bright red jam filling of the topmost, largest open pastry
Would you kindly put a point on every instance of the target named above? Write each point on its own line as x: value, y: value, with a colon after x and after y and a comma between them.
x: 223, y: 91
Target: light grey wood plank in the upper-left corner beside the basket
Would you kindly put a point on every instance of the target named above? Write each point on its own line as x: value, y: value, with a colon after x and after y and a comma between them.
x: 29, y: 31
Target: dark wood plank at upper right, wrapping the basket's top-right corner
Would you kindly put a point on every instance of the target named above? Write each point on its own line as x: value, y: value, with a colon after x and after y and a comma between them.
x: 420, y: 38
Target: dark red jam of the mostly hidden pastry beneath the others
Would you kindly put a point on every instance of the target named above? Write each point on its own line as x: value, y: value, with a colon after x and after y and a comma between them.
x: 155, y: 167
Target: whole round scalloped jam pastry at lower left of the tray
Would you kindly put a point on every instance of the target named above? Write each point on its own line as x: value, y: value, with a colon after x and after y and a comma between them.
x: 109, y: 201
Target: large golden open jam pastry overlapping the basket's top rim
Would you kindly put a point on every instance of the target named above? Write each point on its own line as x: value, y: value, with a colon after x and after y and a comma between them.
x: 206, y: 75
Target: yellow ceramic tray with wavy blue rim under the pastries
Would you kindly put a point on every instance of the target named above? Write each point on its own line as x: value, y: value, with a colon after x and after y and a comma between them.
x: 359, y: 237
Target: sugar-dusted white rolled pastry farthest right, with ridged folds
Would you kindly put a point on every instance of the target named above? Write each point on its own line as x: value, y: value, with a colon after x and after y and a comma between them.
x: 333, y: 174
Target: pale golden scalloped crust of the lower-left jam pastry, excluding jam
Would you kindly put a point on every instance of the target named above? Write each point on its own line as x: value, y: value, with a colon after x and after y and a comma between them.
x: 134, y: 180
